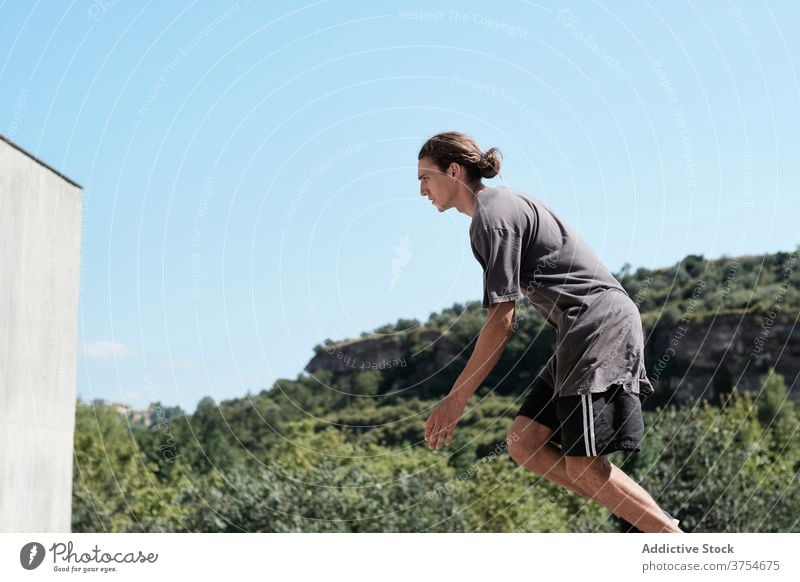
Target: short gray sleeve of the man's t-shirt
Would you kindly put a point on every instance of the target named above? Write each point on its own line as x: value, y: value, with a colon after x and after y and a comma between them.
x: 499, y: 251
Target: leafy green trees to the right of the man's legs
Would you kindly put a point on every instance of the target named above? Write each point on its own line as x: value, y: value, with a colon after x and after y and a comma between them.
x: 712, y: 468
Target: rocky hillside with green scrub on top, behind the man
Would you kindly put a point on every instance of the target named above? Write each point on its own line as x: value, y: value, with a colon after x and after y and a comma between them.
x: 710, y: 326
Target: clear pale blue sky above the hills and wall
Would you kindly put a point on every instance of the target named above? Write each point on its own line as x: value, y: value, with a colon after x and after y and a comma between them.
x: 249, y: 170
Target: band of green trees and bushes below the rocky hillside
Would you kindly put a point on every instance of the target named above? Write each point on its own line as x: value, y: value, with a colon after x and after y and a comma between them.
x: 365, y: 468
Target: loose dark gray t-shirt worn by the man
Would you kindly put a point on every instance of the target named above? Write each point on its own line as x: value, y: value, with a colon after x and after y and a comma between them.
x: 526, y: 250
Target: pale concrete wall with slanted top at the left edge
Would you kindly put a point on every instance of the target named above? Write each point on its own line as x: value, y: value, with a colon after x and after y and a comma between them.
x: 40, y: 231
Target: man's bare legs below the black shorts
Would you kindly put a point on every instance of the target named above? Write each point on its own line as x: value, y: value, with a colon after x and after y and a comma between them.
x: 592, y: 477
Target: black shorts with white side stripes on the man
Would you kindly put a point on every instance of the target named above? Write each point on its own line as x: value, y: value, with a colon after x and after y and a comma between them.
x: 588, y: 425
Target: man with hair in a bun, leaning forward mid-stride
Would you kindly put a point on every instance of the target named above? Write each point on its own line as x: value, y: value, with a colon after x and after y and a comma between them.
x: 587, y: 400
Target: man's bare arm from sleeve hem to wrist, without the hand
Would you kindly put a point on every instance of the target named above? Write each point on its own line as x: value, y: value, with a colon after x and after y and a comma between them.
x: 495, y: 333
